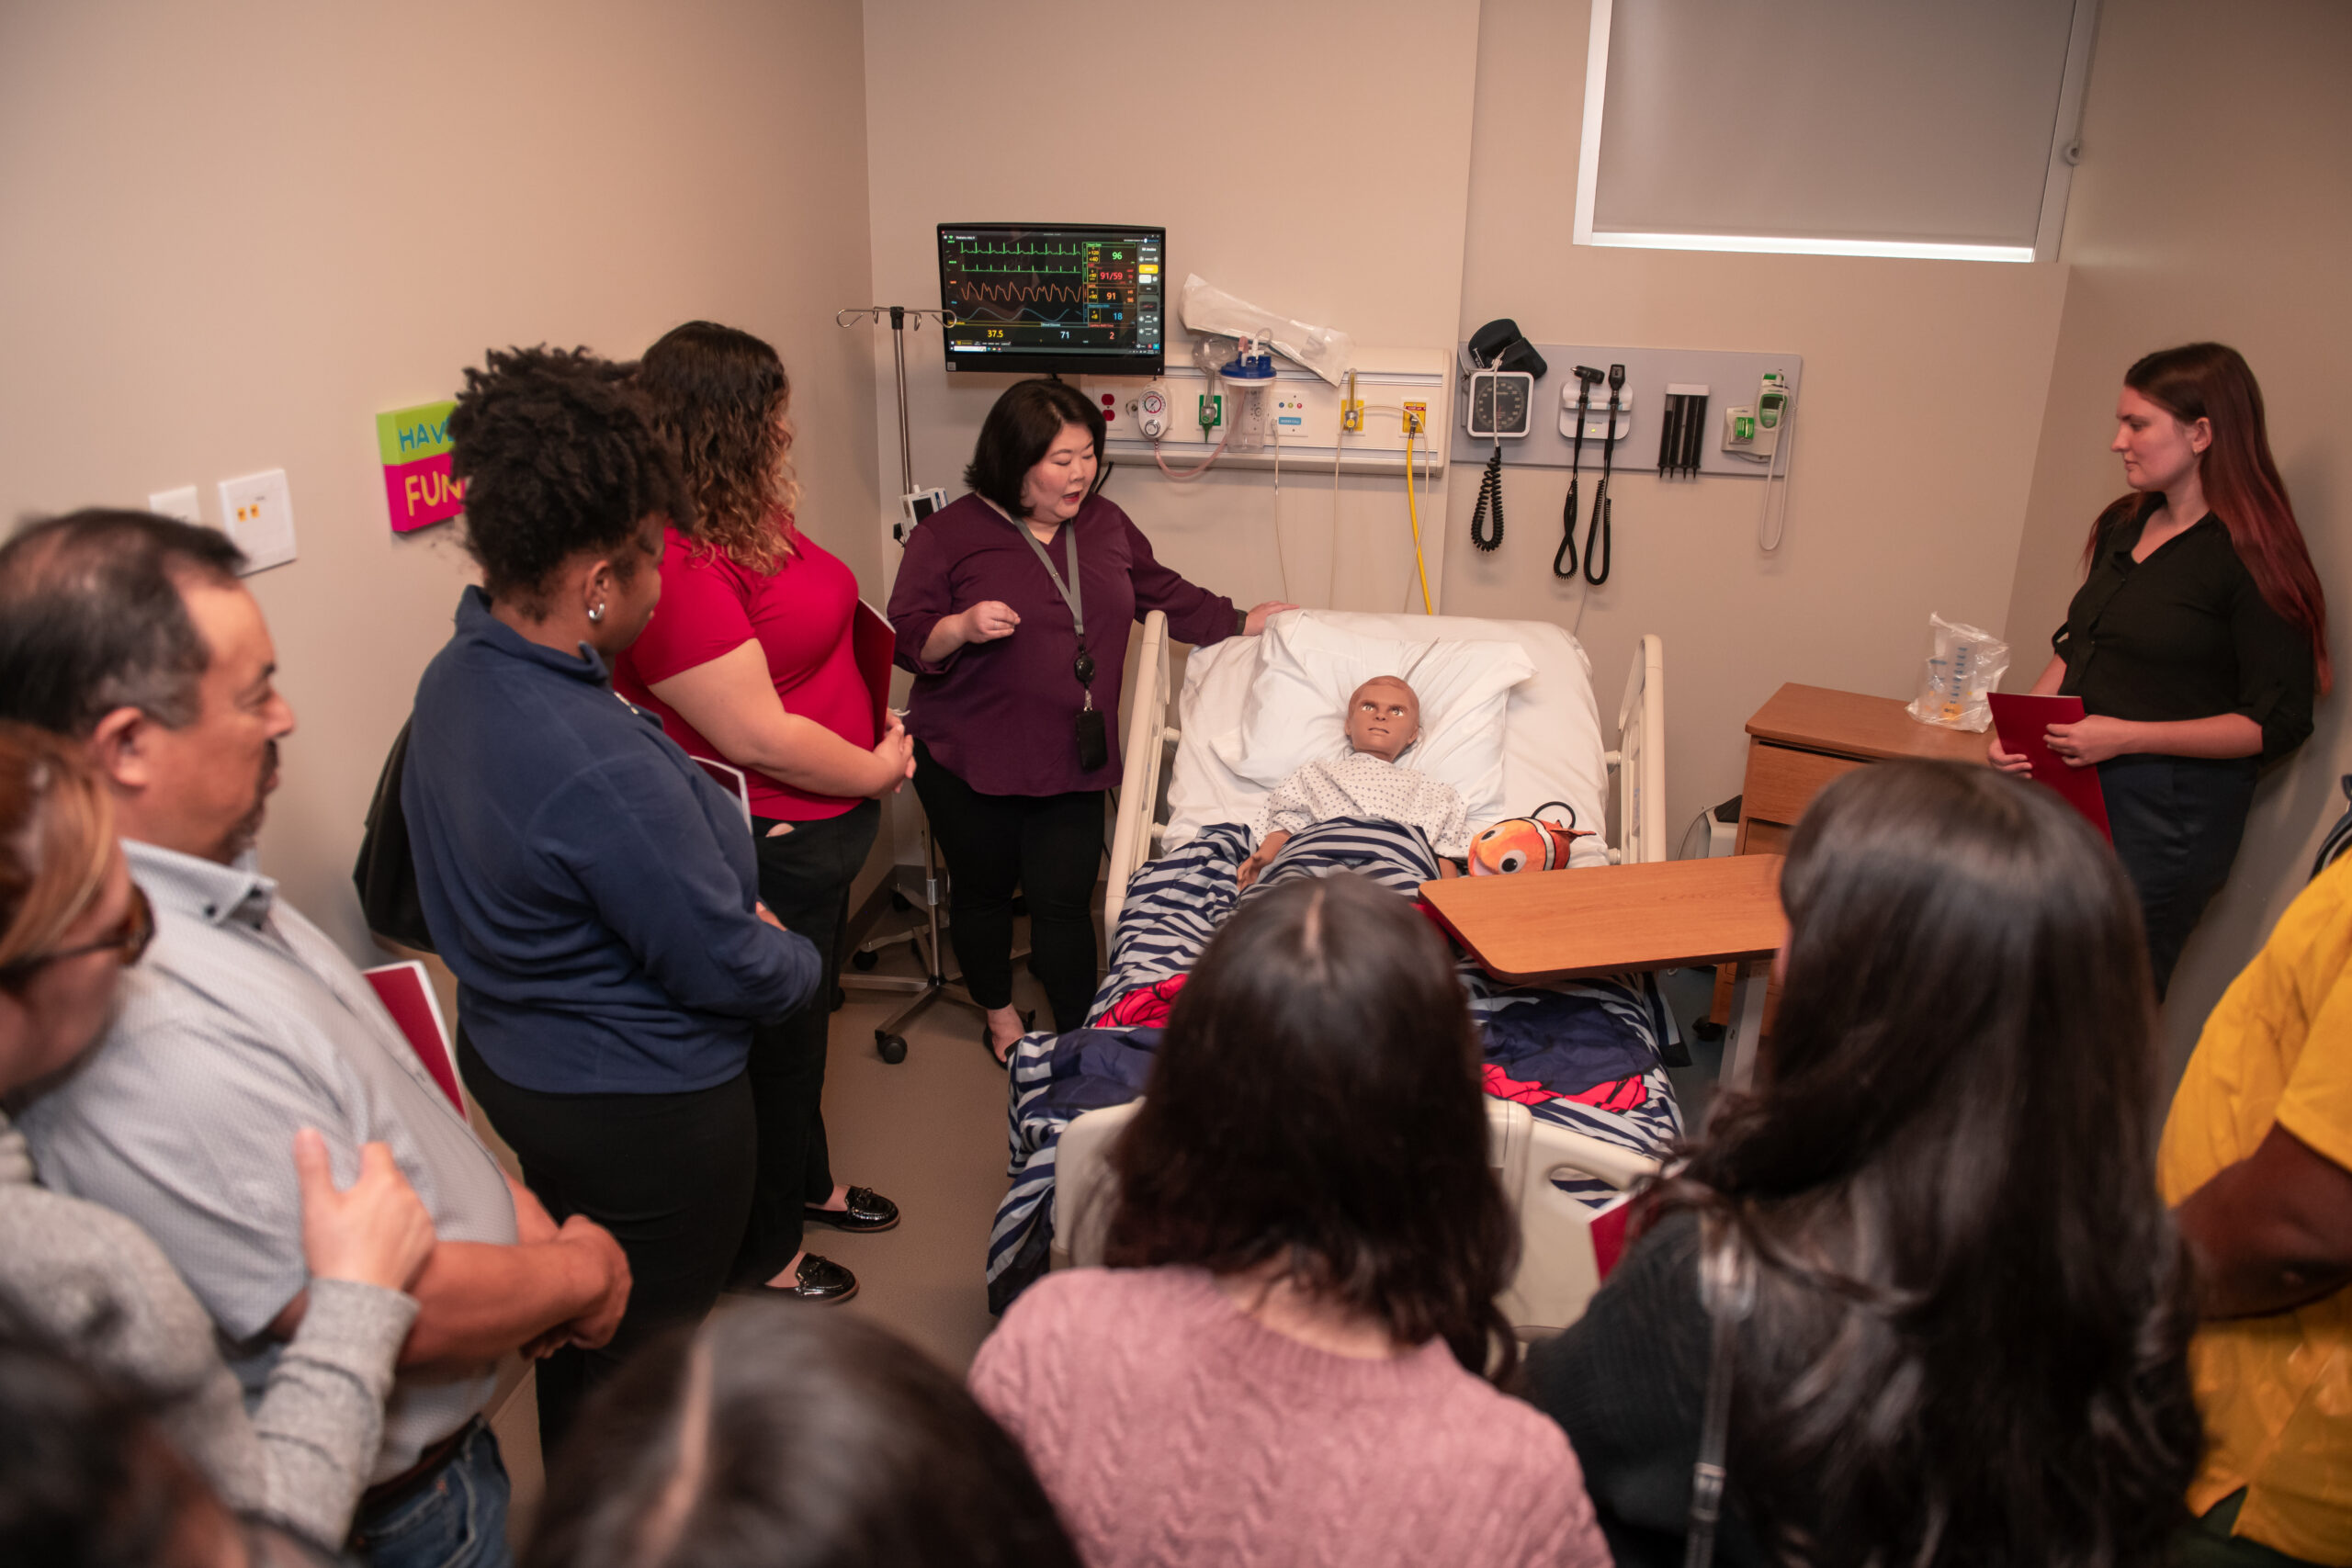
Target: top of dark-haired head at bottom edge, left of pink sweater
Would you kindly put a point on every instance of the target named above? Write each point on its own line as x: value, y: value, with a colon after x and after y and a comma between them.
x: 780, y: 1438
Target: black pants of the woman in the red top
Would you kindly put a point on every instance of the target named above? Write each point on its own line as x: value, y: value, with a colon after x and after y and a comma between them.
x: 806, y: 878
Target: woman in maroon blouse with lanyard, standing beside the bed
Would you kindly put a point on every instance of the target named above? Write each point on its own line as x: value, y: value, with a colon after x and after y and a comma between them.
x: 1015, y: 711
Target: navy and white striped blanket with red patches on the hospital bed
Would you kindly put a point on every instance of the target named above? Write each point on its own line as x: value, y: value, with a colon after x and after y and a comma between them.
x: 1542, y: 1043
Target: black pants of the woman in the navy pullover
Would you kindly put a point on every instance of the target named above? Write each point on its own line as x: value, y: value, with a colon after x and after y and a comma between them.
x: 667, y: 1174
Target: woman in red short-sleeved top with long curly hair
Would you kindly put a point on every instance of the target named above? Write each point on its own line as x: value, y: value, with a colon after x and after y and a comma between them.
x: 751, y: 662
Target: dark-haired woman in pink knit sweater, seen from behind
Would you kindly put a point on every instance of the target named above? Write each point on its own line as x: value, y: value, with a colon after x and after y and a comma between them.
x: 1288, y: 1358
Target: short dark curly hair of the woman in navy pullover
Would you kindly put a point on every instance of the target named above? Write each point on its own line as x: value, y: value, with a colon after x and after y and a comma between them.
x: 559, y: 457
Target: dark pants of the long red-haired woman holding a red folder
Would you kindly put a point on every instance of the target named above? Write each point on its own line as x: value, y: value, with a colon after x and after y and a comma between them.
x: 2177, y: 824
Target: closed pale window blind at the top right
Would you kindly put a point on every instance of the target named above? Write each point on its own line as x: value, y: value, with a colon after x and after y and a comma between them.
x: 1878, y: 128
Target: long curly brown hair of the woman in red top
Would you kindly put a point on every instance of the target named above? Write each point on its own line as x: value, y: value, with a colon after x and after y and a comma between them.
x: 721, y: 401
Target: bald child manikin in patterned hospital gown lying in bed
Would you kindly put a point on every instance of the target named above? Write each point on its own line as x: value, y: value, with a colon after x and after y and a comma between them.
x: 1384, y: 718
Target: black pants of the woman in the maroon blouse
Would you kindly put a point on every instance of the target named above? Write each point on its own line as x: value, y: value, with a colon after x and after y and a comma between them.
x: 1048, y: 847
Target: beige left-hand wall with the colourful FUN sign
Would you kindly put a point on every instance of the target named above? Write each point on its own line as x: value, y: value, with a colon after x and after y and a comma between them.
x: 239, y: 232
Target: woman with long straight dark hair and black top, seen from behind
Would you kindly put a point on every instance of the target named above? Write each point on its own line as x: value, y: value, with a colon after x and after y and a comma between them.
x: 1970, y: 1308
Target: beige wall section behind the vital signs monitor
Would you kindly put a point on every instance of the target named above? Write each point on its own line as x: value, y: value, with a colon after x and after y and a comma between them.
x: 1337, y: 199
